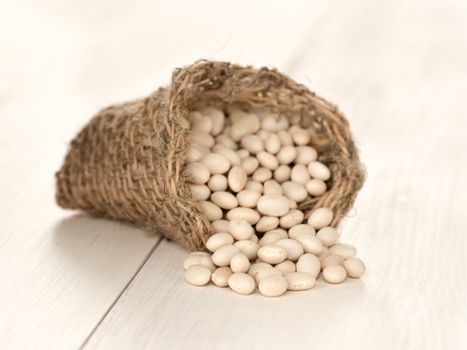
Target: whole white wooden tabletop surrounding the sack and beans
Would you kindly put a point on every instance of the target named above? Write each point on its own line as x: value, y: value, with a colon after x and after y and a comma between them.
x: 398, y: 69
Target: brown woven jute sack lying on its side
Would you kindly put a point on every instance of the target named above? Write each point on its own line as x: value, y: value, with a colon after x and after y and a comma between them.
x: 128, y: 163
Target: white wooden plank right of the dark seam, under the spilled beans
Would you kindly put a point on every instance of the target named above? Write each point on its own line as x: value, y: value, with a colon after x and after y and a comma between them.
x: 399, y: 72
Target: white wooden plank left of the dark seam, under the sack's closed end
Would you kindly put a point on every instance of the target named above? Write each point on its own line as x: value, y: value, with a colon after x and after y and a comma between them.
x: 61, y: 62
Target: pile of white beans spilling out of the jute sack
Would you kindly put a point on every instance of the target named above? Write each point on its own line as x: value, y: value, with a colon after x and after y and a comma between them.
x: 250, y: 172
